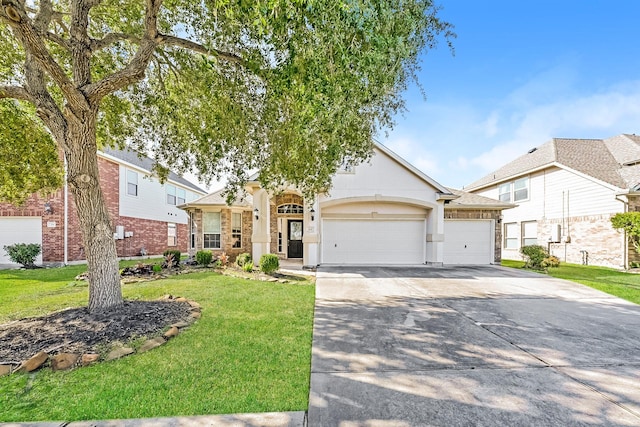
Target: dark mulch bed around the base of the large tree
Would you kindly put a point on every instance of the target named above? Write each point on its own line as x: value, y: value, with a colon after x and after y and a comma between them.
x: 78, y: 331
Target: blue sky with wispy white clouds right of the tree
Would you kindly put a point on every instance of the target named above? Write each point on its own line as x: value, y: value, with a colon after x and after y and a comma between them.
x: 523, y: 72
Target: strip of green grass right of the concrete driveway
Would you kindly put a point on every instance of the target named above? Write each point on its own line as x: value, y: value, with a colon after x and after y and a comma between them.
x: 619, y: 283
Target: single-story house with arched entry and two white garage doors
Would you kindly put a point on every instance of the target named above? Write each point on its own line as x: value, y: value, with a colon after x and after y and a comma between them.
x: 384, y: 212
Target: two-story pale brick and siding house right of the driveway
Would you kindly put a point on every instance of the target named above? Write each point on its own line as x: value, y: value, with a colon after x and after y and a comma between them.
x: 566, y: 191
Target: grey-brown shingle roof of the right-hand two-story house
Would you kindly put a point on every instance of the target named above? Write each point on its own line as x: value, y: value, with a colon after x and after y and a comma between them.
x: 603, y: 159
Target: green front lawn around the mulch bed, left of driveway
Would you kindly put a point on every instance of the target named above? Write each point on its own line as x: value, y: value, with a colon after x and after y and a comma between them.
x: 249, y: 352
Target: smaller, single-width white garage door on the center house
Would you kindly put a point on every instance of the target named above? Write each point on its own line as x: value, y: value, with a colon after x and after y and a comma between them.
x: 468, y: 242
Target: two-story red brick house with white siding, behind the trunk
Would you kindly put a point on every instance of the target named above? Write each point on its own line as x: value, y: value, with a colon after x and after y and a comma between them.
x: 143, y: 213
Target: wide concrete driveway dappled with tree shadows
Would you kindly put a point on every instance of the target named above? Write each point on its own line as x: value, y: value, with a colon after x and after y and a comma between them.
x: 480, y: 346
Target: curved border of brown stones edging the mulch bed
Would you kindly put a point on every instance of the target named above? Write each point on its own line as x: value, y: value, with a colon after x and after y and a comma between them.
x: 67, y: 361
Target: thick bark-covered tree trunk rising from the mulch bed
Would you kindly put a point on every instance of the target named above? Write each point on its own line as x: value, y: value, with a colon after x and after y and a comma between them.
x: 84, y: 181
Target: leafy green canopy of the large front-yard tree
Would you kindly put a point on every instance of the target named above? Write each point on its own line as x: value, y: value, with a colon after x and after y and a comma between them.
x: 288, y: 87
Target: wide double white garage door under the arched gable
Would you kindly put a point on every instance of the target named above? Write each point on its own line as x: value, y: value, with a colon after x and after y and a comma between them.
x: 348, y: 241
